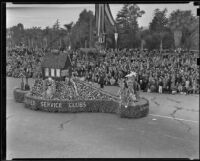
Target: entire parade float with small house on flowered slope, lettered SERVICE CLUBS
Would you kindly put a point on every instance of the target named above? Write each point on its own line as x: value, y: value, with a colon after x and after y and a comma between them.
x: 58, y: 91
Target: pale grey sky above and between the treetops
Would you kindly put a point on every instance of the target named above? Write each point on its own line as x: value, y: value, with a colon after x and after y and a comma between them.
x: 46, y: 15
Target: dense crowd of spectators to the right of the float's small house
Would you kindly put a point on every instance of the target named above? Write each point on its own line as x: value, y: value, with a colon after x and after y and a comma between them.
x: 169, y: 72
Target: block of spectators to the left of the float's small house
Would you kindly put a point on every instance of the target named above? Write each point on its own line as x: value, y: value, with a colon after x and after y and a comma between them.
x: 22, y: 60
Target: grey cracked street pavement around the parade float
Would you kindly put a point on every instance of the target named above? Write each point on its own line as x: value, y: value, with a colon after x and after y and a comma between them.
x: 171, y: 130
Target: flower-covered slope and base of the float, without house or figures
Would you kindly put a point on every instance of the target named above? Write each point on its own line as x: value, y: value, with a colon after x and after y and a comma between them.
x: 78, y: 96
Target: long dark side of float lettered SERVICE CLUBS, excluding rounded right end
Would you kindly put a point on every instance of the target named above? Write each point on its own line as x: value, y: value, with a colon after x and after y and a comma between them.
x: 107, y: 106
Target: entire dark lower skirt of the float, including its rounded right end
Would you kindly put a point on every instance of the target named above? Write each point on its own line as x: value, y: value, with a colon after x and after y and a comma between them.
x: 106, y: 106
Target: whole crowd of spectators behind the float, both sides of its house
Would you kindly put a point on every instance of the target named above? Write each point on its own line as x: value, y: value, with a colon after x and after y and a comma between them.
x: 166, y: 72
